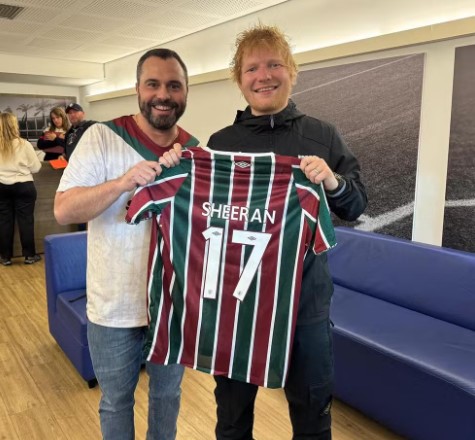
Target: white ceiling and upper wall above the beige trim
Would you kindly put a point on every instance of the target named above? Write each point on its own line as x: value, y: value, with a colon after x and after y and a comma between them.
x: 70, y: 42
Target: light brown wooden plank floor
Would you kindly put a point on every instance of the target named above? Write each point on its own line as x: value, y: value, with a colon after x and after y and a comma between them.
x: 43, y: 397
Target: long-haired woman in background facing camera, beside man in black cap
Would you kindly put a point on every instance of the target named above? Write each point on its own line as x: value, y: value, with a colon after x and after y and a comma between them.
x: 52, y: 141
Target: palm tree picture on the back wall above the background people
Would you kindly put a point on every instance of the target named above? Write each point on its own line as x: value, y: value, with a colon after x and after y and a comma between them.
x: 32, y: 111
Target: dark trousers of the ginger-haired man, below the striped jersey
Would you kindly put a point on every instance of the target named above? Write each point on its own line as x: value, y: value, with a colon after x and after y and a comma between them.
x: 308, y: 390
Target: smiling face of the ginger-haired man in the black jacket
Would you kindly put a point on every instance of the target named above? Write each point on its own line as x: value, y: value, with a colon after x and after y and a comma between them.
x: 265, y: 81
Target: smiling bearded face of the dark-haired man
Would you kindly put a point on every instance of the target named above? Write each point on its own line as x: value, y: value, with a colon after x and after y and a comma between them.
x: 162, y: 92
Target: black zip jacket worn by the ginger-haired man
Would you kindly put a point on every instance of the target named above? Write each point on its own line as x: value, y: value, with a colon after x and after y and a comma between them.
x: 292, y: 133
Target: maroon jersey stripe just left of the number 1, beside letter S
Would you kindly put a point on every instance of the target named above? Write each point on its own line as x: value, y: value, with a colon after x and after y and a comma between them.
x: 201, y: 194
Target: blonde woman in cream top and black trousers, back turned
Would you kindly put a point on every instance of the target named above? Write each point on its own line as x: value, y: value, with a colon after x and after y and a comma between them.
x: 18, y: 163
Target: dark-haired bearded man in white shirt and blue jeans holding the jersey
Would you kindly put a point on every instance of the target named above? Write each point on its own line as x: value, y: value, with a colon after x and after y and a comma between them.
x: 110, y: 161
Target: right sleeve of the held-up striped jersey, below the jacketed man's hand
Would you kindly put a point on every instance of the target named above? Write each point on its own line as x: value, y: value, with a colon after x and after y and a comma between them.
x: 314, y: 204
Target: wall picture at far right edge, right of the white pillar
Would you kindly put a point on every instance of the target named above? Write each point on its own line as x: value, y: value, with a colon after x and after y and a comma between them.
x: 459, y: 216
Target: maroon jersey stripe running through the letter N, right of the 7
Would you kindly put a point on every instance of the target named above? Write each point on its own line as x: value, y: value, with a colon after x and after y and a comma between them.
x: 270, y: 265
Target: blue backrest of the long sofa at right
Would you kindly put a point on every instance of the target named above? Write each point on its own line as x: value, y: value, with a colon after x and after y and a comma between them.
x: 434, y: 281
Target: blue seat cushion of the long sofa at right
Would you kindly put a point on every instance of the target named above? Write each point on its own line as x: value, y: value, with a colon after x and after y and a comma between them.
x: 444, y: 350
